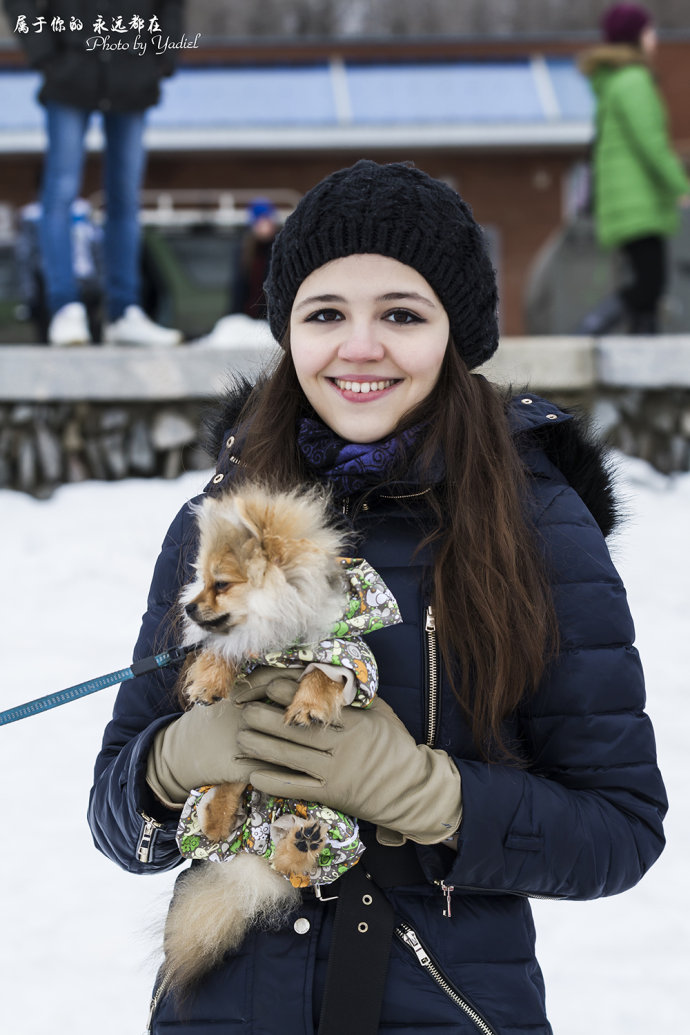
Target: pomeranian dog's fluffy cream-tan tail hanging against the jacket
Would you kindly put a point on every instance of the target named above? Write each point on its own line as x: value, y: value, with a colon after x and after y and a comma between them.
x: 214, y: 907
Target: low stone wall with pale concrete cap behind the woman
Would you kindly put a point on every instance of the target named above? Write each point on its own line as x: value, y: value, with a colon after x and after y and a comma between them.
x: 67, y: 416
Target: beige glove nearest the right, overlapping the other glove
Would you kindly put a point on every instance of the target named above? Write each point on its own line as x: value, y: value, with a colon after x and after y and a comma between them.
x: 368, y: 765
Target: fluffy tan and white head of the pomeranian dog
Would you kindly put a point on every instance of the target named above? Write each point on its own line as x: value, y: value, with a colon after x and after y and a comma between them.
x: 267, y: 572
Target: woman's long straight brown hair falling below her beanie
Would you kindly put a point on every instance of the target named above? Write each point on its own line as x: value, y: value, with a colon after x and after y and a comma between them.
x: 495, y: 617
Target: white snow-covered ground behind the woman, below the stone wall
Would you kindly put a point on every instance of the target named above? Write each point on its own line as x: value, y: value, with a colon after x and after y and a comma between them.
x: 78, y: 949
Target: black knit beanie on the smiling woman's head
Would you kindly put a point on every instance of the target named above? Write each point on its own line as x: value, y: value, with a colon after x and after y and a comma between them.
x: 399, y: 212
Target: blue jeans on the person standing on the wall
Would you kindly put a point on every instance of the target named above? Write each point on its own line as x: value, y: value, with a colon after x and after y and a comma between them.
x: 124, y: 165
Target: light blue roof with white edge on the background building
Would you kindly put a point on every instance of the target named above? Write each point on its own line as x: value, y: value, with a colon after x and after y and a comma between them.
x: 343, y: 105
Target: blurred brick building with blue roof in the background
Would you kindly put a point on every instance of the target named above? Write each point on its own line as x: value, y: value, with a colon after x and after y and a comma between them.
x: 507, y: 123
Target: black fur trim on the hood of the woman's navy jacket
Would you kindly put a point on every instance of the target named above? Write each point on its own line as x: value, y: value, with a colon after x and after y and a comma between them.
x: 548, y: 437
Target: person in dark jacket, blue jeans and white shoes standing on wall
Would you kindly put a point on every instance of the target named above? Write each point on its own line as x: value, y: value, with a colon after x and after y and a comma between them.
x: 97, y: 57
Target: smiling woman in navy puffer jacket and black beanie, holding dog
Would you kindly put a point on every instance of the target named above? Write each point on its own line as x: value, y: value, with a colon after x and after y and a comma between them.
x: 508, y: 754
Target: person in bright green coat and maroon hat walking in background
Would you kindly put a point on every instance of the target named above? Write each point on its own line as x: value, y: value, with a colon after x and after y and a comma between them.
x: 639, y: 181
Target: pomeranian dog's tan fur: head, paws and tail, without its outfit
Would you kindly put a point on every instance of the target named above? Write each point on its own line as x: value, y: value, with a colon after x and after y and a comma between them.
x: 268, y: 577
